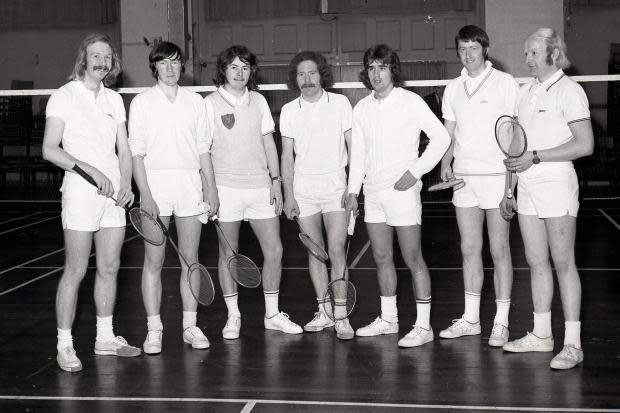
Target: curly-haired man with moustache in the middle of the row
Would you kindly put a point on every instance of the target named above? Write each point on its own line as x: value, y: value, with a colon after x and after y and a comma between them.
x: 316, y: 131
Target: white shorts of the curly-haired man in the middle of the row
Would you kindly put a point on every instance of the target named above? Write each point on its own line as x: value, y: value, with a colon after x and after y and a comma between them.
x: 319, y: 193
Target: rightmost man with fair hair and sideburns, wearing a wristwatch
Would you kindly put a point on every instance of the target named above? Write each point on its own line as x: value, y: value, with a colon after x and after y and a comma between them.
x: 553, y: 110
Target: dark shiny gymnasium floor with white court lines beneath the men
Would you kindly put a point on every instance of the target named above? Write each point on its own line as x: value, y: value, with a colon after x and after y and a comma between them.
x: 266, y: 371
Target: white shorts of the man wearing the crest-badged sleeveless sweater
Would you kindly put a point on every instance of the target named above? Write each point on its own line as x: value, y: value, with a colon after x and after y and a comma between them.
x: 238, y: 204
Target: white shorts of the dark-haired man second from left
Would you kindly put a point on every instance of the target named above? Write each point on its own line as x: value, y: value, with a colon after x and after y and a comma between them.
x: 176, y: 191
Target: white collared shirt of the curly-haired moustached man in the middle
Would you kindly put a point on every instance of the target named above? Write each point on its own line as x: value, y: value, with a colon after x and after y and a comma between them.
x: 317, y: 129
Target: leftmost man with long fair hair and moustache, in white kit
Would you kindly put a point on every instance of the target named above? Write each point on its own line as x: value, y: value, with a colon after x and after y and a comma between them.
x: 84, y: 131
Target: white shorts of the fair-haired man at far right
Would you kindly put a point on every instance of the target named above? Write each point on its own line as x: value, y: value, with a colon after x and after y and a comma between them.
x: 552, y: 194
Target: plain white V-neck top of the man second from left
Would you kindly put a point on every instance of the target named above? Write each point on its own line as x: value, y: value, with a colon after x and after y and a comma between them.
x: 170, y: 135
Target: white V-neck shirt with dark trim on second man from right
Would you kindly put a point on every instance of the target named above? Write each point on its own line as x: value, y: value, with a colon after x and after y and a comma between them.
x: 475, y: 104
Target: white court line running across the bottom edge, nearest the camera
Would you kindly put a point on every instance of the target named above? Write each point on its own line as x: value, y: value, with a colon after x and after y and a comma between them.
x: 253, y: 402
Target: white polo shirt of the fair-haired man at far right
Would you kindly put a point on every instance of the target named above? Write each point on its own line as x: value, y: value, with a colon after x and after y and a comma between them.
x: 545, y: 111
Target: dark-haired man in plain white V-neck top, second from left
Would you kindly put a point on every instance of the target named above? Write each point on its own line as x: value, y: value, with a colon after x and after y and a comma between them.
x: 169, y: 143
